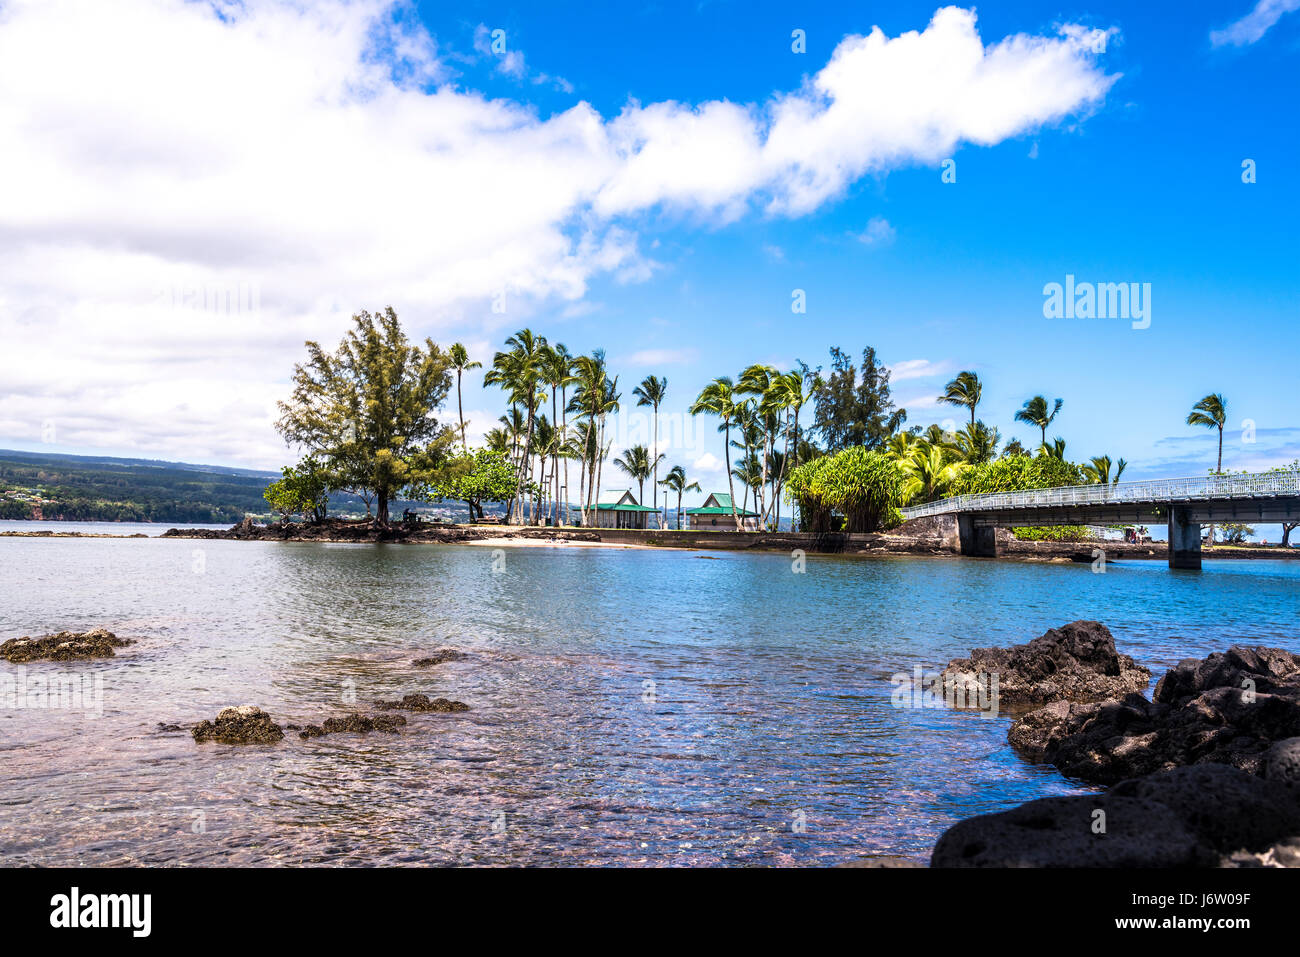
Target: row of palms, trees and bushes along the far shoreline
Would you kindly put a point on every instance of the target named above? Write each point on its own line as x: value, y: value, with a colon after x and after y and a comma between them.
x: 830, y: 447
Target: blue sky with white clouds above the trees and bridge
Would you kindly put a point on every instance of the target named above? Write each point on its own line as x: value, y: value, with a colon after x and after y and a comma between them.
x: 1117, y: 167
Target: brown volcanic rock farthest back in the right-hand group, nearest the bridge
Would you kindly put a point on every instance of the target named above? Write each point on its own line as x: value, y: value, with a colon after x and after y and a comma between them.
x: 1076, y: 662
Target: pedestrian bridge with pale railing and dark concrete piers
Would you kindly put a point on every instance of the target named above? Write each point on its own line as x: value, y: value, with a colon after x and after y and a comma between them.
x: 1184, y: 504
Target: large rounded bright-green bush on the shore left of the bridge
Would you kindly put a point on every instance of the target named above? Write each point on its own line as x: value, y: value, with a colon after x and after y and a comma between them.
x: 859, y: 487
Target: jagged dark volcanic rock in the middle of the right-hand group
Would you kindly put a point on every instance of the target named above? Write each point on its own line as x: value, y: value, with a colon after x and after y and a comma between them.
x: 1228, y: 709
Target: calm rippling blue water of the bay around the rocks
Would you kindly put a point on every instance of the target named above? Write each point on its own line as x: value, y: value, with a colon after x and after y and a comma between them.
x: 768, y: 735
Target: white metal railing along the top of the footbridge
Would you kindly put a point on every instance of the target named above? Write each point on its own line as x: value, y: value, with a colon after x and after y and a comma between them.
x: 1216, y: 487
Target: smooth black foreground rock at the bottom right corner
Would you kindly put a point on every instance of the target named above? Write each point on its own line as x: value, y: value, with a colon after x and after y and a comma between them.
x: 1207, y: 816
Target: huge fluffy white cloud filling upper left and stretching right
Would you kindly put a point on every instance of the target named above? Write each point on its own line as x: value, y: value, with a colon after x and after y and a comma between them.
x: 193, y: 189
